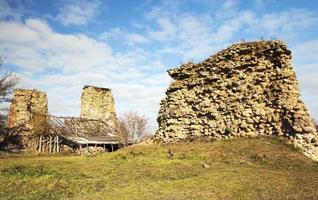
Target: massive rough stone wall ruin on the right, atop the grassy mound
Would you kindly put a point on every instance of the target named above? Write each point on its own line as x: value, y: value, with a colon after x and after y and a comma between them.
x: 248, y: 89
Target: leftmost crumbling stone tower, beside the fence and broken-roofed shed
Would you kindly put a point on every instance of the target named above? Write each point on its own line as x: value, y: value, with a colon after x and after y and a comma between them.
x: 29, y: 109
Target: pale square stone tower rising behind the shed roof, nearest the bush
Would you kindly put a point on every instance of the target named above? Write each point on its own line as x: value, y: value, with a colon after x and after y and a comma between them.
x: 98, y: 103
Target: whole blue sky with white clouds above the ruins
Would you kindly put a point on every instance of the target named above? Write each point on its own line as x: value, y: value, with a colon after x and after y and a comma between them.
x: 59, y: 46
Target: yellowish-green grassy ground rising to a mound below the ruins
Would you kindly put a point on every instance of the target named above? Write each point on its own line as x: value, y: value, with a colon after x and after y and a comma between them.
x: 243, y: 168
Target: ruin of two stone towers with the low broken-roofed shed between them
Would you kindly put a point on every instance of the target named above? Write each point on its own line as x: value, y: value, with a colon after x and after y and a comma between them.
x: 51, y: 134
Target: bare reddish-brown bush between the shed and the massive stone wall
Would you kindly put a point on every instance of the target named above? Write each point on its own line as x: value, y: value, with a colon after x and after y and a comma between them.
x: 131, y: 128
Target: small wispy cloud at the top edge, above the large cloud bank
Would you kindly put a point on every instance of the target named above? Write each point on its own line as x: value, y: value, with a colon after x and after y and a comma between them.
x: 78, y: 12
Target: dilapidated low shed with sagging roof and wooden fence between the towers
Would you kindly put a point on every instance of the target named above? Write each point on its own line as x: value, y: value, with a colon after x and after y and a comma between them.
x: 70, y: 133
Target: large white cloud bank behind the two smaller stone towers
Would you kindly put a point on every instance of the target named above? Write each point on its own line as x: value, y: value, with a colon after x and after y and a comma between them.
x: 76, y: 60
